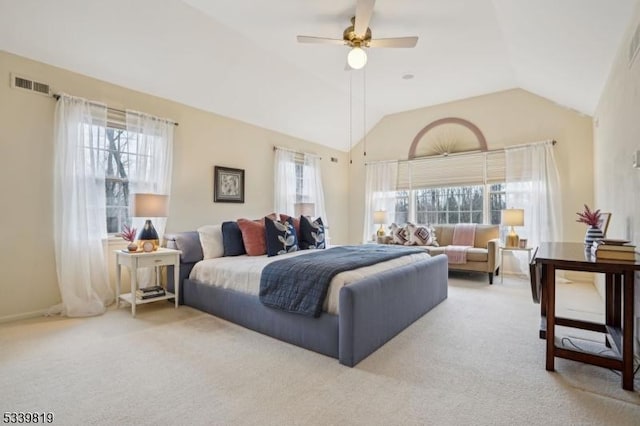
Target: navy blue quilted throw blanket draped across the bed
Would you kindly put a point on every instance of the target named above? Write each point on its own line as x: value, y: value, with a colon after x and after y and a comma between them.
x: 300, y: 284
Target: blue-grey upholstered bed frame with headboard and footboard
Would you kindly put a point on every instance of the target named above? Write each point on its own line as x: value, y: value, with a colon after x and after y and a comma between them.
x: 367, y: 313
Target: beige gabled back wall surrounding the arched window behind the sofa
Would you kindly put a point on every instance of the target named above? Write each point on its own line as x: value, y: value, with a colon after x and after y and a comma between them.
x: 505, y: 118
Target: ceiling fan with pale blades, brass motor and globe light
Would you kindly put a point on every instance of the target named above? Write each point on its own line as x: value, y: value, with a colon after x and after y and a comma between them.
x: 358, y: 36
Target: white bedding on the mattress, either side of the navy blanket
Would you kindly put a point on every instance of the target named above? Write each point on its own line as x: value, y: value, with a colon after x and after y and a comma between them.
x: 242, y: 273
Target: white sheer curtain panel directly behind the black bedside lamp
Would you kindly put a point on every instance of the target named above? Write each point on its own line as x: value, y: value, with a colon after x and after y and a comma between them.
x: 151, y: 140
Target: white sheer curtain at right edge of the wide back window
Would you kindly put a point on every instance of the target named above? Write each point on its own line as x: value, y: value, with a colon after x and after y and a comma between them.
x: 533, y: 184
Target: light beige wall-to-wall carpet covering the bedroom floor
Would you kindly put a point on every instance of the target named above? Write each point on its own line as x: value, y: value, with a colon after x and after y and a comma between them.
x: 474, y: 359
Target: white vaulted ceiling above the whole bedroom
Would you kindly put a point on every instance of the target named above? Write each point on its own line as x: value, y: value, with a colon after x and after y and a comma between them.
x: 241, y: 59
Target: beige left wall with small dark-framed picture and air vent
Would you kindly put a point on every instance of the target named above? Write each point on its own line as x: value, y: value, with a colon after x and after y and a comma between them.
x: 28, y: 280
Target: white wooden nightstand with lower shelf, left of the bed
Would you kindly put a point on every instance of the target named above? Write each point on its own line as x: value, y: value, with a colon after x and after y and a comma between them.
x: 135, y: 260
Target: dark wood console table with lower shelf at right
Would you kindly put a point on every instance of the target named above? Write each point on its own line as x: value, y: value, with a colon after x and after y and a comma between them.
x: 619, y: 301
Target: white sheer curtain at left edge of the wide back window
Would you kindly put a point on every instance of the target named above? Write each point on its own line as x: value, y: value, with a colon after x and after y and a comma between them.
x: 380, y: 194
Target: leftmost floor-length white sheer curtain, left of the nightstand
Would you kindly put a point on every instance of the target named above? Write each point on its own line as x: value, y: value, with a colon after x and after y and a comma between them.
x: 79, y: 207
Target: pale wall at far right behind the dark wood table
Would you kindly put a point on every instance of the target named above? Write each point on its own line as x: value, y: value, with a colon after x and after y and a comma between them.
x: 616, y: 138
